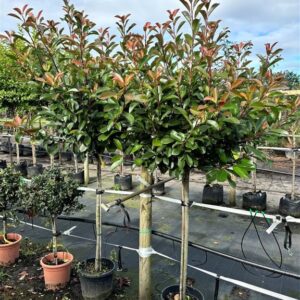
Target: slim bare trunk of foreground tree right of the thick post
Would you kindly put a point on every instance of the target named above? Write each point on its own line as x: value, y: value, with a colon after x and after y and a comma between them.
x: 184, y: 233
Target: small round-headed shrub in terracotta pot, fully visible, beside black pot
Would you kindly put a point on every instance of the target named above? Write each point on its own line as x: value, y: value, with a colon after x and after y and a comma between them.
x: 54, y: 193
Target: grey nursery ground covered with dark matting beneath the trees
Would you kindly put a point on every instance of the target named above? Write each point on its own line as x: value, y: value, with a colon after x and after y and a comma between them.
x: 222, y: 232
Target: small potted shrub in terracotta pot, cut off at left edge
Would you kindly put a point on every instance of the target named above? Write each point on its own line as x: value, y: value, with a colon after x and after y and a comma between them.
x: 10, y: 194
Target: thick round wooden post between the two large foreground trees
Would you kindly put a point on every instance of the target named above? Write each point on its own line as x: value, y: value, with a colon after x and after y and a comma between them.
x: 145, y: 239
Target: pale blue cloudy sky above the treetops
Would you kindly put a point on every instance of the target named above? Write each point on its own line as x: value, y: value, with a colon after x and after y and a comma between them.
x: 255, y: 20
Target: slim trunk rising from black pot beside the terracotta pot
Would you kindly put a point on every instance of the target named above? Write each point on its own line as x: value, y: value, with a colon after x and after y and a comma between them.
x: 98, y: 218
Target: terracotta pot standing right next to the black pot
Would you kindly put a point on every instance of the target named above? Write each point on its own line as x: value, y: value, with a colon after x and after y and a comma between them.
x: 57, y: 276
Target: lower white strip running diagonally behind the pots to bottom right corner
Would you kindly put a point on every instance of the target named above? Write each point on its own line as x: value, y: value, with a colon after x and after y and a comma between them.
x: 152, y: 251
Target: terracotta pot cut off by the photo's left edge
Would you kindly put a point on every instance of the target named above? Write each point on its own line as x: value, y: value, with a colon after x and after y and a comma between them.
x: 10, y: 252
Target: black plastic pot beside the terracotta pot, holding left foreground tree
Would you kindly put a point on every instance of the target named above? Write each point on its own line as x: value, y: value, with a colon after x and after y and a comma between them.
x: 95, y: 286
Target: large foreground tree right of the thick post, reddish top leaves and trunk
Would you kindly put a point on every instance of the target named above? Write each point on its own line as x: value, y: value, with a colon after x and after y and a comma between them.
x: 201, y: 107
